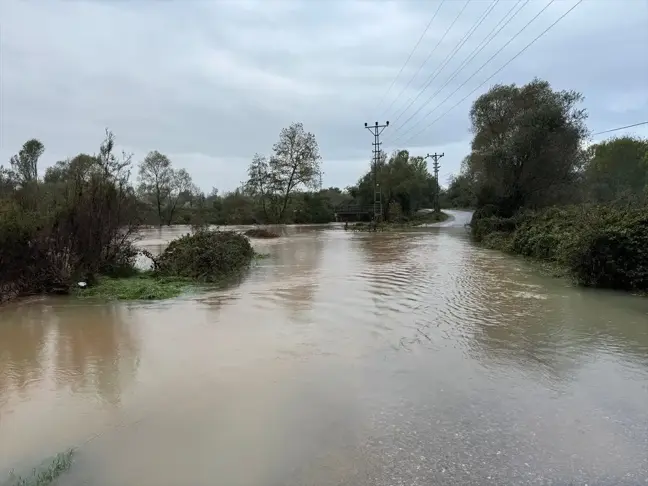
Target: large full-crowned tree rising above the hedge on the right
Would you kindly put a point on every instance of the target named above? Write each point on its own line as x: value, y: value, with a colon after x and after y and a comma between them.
x: 526, y: 149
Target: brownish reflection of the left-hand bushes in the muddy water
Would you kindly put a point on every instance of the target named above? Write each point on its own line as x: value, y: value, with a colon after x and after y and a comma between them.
x: 89, y: 350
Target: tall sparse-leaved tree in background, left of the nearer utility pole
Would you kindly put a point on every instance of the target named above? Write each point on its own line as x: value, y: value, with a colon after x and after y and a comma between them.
x: 294, y: 164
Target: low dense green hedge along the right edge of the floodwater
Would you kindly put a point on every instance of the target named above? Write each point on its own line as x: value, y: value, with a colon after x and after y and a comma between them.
x: 595, y: 245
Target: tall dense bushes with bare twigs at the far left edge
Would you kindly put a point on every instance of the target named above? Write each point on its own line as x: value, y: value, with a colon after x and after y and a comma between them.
x: 53, y: 233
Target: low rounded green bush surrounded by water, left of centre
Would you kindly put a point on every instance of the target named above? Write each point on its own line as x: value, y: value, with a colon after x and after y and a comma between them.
x: 207, y: 256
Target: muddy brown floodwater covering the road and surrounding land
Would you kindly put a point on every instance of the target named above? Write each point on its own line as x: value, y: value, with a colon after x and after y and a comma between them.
x: 342, y: 359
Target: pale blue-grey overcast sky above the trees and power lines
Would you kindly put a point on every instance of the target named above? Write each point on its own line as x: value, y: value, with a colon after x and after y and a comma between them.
x: 210, y: 83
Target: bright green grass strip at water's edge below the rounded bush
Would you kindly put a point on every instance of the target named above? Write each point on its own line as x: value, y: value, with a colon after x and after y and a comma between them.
x: 144, y: 286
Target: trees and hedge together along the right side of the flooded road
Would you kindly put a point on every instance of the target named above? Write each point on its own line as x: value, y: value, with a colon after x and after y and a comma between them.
x: 541, y: 190
